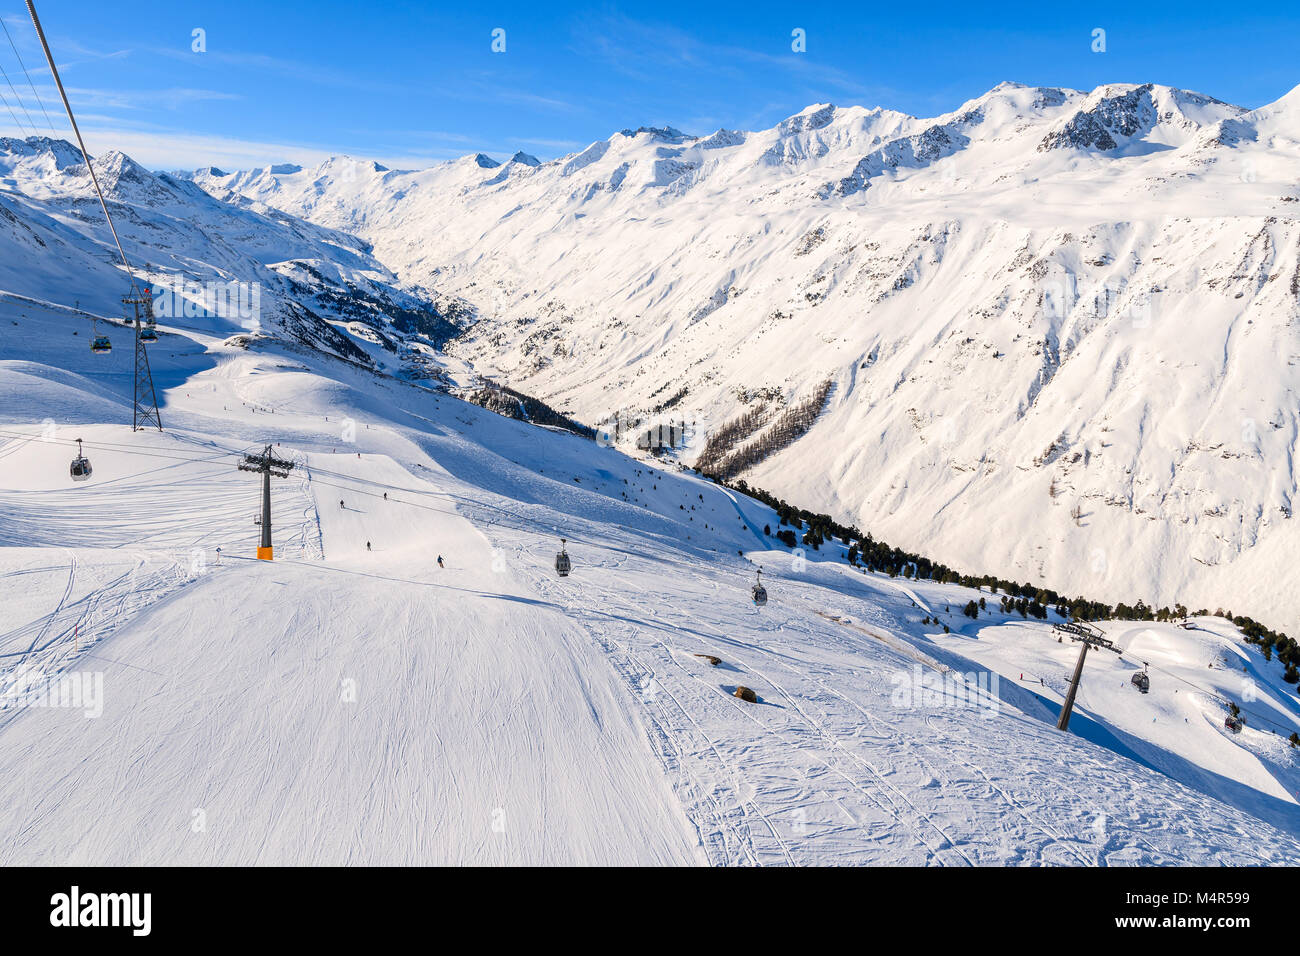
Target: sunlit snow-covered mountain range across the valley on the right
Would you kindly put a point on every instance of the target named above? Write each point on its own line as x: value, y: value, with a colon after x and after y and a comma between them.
x: 1060, y: 327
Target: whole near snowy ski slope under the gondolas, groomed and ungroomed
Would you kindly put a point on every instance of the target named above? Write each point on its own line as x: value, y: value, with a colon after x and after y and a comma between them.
x: 361, y: 706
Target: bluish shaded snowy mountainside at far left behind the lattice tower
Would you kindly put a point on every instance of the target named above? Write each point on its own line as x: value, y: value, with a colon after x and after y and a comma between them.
x: 317, y: 285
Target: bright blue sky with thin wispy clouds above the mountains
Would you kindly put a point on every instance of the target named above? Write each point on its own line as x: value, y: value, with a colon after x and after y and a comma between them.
x: 413, y: 84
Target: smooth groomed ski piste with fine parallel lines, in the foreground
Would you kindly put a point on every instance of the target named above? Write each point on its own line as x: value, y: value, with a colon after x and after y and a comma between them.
x: 461, y: 721
